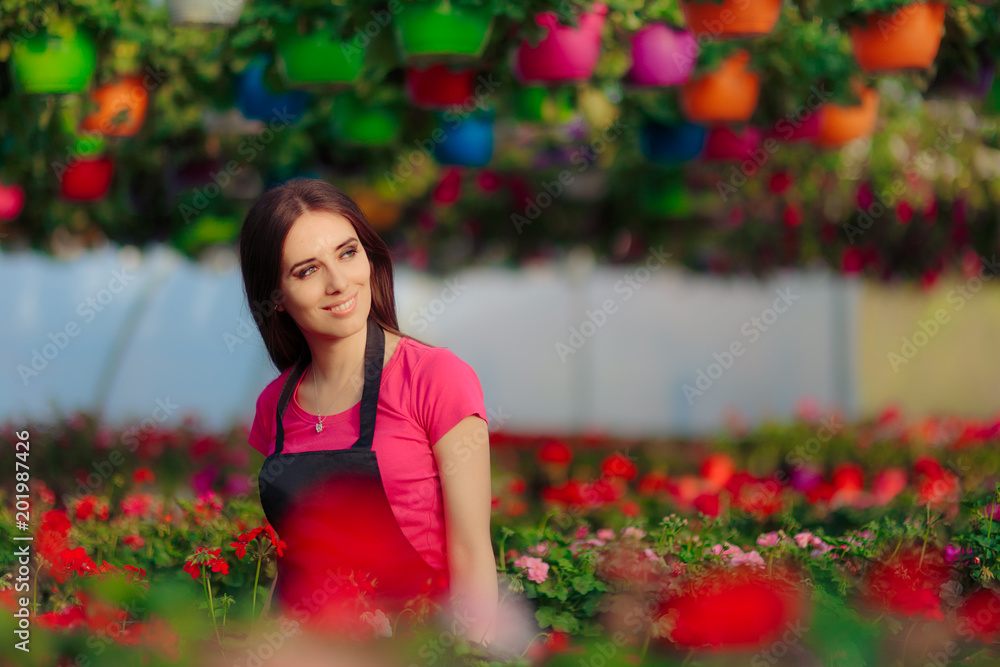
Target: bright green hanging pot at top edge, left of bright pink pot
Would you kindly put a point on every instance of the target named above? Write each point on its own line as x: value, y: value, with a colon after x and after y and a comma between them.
x: 440, y: 30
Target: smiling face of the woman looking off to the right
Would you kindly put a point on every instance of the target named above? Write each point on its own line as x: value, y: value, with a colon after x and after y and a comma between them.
x: 325, y: 276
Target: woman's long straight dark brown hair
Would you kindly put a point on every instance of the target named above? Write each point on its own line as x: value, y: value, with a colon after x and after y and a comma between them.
x: 261, y: 240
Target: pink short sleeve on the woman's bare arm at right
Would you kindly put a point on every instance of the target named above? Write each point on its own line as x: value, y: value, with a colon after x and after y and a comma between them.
x: 445, y: 391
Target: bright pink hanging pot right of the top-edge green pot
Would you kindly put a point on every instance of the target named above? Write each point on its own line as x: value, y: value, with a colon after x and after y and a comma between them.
x: 566, y: 53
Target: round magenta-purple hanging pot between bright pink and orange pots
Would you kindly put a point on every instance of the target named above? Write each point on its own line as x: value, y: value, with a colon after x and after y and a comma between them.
x: 662, y: 56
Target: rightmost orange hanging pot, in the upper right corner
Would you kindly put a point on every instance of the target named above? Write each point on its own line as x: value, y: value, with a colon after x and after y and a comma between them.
x: 905, y: 39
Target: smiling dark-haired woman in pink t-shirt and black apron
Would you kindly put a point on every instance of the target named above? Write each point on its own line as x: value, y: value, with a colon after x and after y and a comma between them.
x: 376, y: 443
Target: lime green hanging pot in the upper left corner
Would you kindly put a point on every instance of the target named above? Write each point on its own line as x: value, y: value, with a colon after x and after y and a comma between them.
x: 49, y: 63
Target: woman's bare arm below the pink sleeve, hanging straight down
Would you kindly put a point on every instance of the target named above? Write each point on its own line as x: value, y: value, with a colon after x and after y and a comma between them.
x: 463, y: 458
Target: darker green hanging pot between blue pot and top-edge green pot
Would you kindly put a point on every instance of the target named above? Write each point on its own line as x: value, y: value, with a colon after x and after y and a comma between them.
x: 316, y: 52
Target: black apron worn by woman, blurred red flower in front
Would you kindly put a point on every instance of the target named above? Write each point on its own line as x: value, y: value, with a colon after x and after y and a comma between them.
x: 331, y: 510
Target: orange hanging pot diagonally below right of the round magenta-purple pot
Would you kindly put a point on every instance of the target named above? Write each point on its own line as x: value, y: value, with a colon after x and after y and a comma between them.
x: 727, y: 95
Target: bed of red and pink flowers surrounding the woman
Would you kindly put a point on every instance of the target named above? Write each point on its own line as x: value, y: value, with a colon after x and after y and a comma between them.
x: 810, y: 542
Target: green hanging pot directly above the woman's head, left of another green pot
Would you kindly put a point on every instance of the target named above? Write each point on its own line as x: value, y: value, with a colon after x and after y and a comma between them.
x: 318, y: 58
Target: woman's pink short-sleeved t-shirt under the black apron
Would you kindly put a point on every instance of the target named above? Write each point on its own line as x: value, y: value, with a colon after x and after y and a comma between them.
x: 425, y: 392
